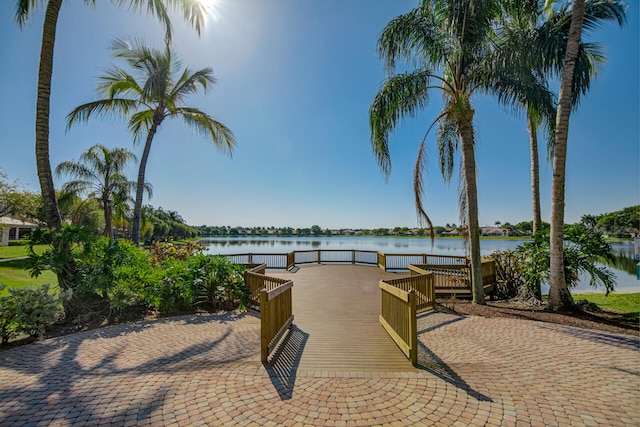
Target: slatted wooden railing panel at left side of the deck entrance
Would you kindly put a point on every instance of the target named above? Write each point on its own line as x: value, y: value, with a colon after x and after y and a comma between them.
x: 276, y: 315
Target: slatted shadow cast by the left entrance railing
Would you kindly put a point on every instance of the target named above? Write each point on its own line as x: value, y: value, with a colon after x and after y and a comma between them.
x: 283, y: 366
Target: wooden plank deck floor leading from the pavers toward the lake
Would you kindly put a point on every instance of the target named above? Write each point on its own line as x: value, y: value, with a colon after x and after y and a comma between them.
x: 336, y: 309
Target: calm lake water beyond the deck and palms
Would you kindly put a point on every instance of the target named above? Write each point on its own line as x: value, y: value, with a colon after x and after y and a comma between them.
x: 624, y: 267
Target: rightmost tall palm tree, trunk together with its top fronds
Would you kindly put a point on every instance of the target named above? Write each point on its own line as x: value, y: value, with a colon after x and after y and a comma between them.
x: 587, y: 15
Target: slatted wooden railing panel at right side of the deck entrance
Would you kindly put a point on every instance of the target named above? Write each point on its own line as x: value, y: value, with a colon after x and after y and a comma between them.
x: 399, y: 318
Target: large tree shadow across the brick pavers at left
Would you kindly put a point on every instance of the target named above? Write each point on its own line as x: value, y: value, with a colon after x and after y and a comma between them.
x: 53, y: 385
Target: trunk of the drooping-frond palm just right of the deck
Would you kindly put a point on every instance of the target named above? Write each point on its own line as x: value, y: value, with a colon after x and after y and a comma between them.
x: 465, y: 130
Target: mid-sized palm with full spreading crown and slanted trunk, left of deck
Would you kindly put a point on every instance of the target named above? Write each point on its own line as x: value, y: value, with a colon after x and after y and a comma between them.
x: 153, y: 92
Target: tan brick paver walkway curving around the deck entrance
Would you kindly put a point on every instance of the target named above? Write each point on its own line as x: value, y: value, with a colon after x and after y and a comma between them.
x: 206, y: 370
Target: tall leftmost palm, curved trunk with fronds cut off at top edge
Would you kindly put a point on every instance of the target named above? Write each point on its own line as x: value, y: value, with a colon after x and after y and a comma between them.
x: 192, y: 11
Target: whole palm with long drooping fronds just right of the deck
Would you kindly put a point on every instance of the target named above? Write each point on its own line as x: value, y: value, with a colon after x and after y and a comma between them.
x: 450, y: 42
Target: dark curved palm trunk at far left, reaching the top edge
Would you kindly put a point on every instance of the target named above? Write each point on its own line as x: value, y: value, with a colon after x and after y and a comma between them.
x: 45, y: 71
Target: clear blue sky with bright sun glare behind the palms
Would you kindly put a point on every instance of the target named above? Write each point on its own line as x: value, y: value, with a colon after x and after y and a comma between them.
x: 295, y: 80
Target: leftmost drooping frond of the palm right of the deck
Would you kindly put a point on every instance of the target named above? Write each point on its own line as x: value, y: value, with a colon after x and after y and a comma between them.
x: 401, y: 96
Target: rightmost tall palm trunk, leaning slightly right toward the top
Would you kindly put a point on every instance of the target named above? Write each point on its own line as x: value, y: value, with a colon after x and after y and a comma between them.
x: 559, y: 296
